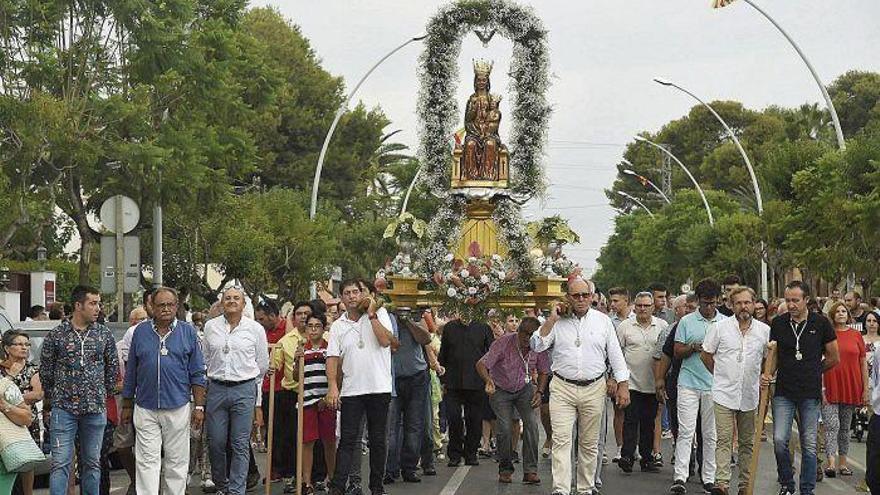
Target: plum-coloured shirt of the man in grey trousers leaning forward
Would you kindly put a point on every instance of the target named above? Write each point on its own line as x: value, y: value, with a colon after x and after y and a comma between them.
x: 509, y: 369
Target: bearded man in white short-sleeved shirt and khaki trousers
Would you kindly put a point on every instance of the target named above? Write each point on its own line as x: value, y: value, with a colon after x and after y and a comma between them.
x: 733, y: 351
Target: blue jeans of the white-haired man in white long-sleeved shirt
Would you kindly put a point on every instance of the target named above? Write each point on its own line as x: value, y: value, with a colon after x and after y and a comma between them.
x: 229, y: 413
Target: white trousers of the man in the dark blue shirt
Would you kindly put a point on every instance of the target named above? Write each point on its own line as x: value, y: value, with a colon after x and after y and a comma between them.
x: 157, y: 431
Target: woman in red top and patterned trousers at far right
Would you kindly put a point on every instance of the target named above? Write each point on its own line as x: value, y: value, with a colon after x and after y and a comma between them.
x: 845, y: 389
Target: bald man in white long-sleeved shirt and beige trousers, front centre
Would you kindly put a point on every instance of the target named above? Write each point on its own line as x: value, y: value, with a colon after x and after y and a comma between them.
x: 582, y: 340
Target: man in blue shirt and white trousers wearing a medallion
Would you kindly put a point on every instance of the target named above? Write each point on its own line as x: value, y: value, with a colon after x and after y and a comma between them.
x: 165, y: 366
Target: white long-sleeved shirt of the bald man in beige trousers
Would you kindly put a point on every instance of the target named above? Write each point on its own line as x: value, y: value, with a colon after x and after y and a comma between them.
x: 598, y: 344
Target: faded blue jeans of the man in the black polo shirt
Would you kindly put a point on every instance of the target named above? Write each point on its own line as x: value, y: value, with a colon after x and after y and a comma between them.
x: 808, y: 423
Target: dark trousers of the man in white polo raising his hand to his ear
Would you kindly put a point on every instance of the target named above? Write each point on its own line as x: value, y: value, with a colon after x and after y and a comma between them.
x: 353, y: 410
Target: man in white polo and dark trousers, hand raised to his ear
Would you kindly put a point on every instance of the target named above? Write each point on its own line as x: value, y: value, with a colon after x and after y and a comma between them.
x: 359, y: 346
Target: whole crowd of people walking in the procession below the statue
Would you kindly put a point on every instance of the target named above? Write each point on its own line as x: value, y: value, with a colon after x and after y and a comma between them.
x: 187, y: 398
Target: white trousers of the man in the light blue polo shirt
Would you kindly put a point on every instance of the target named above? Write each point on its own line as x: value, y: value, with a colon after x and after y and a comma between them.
x: 691, y: 401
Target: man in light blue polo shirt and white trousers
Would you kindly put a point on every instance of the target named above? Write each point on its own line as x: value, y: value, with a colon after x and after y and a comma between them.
x: 695, y: 387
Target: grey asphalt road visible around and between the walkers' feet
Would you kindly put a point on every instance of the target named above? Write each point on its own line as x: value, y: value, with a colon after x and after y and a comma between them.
x: 482, y: 479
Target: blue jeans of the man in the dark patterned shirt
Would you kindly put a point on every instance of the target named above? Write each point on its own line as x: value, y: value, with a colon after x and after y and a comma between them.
x: 65, y: 428
